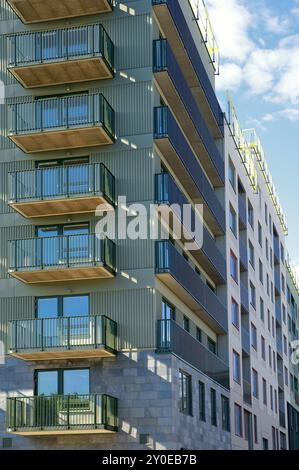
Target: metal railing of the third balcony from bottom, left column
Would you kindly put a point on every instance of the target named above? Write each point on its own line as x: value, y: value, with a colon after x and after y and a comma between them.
x: 61, y: 252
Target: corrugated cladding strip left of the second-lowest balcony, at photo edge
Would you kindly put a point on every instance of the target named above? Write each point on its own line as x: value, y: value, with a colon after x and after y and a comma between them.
x: 12, y: 308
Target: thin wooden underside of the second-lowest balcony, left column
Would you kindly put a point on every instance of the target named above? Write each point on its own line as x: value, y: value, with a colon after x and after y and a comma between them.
x: 48, y: 355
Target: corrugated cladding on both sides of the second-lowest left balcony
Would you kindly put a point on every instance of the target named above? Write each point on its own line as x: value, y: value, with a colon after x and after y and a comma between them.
x: 131, y: 309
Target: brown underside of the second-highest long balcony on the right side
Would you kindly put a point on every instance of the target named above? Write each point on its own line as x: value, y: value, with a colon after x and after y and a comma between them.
x: 172, y: 97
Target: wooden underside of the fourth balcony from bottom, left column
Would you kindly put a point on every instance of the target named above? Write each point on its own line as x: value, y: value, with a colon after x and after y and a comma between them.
x: 59, y: 207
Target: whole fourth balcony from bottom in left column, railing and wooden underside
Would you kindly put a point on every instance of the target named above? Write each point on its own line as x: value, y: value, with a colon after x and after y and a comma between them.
x: 62, y: 190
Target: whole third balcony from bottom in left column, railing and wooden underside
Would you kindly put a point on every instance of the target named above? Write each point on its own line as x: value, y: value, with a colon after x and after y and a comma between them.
x: 62, y: 258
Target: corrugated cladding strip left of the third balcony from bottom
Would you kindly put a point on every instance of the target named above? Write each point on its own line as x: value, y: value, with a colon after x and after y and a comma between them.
x: 11, y: 233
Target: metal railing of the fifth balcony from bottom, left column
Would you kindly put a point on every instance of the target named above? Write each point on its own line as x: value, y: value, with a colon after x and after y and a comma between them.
x: 63, y: 113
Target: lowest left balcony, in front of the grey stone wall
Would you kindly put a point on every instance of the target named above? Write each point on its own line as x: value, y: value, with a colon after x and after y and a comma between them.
x: 62, y: 414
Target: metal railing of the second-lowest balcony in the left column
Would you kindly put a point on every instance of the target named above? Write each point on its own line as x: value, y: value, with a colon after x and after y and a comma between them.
x: 63, y: 333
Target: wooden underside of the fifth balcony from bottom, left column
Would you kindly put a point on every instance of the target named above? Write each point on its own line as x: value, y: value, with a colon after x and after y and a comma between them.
x: 62, y: 139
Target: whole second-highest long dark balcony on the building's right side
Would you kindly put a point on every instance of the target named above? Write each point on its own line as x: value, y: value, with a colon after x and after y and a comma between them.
x: 171, y: 82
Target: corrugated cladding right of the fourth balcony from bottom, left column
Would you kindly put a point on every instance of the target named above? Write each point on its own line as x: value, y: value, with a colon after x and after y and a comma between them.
x: 125, y: 166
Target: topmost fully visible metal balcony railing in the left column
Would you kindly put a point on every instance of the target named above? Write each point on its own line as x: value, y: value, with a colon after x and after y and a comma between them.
x: 65, y: 44
